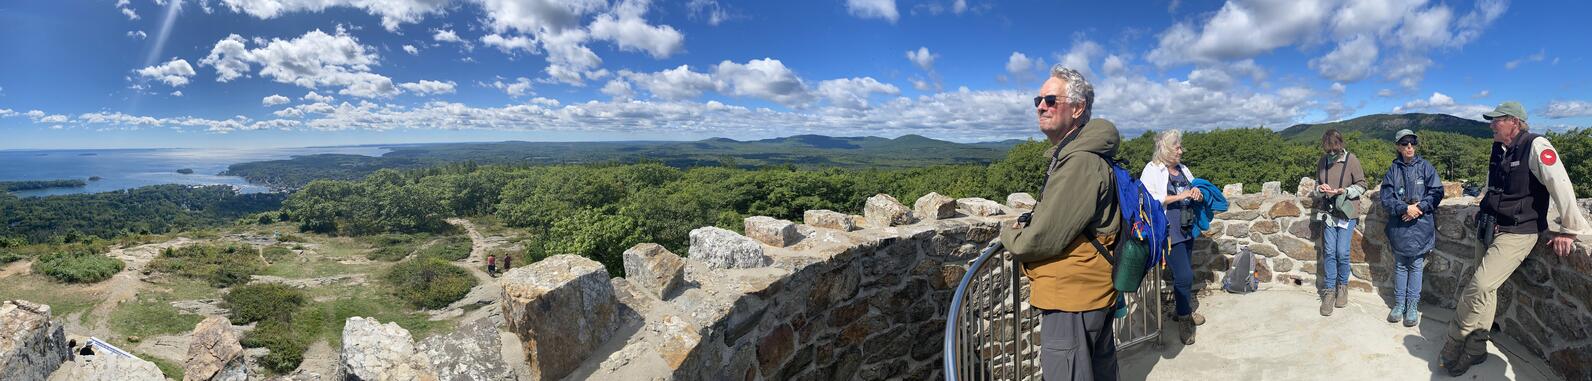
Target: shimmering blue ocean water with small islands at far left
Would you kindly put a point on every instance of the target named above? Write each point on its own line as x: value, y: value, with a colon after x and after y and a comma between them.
x: 120, y: 170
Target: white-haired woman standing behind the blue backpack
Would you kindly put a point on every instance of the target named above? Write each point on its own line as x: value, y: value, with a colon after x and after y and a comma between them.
x: 1171, y: 183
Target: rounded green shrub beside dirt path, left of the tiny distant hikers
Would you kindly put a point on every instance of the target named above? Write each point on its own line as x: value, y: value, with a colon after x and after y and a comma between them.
x: 431, y: 283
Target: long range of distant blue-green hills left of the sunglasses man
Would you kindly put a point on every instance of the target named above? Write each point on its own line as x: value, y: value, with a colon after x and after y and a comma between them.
x: 795, y: 151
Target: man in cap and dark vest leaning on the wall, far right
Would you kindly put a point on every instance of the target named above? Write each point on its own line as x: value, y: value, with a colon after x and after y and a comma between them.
x: 1523, y: 176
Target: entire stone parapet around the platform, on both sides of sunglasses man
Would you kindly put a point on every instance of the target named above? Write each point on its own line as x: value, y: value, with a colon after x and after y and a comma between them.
x: 865, y: 297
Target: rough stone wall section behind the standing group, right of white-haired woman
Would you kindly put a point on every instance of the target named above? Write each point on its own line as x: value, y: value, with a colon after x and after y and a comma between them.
x: 1547, y: 305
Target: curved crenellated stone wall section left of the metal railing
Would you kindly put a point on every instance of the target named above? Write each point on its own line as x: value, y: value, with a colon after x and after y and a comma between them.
x: 835, y: 299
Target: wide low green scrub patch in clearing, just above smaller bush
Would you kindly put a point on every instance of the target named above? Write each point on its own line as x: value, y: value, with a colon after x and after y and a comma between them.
x: 219, y: 265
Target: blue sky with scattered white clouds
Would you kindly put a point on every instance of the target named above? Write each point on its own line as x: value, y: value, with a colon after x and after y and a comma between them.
x: 111, y: 74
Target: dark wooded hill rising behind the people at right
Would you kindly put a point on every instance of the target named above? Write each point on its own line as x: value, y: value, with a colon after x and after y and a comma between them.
x: 1386, y: 125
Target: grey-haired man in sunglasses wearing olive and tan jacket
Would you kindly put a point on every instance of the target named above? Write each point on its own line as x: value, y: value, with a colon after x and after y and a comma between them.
x: 1071, y: 280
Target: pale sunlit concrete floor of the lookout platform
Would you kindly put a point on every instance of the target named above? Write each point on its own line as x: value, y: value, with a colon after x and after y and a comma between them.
x: 1279, y: 334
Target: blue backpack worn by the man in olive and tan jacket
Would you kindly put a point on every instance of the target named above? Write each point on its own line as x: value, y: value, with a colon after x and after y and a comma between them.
x: 1142, y: 242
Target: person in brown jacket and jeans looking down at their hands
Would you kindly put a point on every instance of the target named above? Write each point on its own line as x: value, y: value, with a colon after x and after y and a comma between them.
x: 1341, y: 183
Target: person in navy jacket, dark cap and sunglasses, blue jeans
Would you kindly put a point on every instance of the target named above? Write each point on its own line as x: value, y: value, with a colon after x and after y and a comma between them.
x: 1411, y: 194
